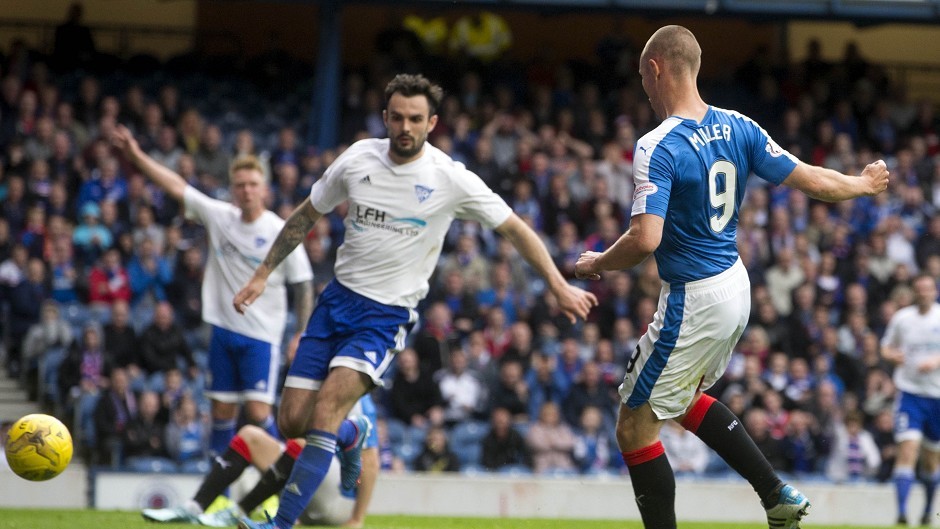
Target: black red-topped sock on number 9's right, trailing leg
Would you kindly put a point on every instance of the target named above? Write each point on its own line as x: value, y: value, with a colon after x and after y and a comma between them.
x: 721, y: 430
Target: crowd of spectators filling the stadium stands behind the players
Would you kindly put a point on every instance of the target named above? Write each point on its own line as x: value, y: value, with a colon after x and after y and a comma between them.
x: 100, y: 273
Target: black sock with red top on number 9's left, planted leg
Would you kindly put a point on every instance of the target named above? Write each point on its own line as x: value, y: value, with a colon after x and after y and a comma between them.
x: 654, y: 486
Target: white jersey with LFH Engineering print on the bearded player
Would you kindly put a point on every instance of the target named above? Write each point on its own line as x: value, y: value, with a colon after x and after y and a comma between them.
x: 398, y: 216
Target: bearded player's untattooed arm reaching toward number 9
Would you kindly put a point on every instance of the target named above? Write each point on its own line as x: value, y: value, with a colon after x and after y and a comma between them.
x: 573, y: 301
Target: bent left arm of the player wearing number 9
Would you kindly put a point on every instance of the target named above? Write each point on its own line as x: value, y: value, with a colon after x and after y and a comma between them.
x: 632, y: 248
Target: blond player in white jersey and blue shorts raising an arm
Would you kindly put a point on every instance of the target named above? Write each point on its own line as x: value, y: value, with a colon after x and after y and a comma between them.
x: 244, y: 351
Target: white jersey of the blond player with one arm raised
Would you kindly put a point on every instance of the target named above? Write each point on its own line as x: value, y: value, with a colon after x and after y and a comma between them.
x: 235, y: 250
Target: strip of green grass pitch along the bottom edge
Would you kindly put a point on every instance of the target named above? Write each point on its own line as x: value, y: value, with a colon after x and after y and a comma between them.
x: 90, y: 519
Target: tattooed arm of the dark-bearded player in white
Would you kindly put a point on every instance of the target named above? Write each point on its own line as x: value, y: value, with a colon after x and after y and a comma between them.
x: 295, y: 229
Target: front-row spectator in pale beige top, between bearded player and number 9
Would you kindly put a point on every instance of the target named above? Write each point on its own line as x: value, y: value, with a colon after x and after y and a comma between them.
x: 551, y: 441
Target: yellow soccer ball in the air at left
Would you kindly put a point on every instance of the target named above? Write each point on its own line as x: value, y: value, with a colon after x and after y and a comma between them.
x: 38, y: 447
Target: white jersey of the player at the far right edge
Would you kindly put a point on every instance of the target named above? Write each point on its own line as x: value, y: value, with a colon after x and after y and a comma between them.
x: 918, y: 337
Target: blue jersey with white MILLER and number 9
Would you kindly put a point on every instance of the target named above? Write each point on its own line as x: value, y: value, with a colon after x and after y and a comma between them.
x: 693, y: 175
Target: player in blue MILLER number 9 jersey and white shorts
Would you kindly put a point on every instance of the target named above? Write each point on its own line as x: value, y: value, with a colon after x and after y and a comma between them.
x: 690, y: 174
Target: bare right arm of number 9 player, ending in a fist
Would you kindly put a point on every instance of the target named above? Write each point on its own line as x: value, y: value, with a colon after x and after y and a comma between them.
x: 832, y: 186
